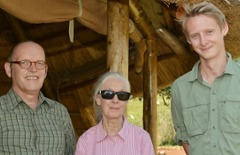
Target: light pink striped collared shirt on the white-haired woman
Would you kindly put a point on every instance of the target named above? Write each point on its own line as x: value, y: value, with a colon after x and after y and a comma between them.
x: 130, y: 140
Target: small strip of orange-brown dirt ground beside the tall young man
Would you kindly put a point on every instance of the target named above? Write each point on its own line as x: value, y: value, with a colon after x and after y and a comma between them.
x: 171, y: 151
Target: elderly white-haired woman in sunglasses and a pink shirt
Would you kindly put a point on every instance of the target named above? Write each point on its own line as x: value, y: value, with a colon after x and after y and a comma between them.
x: 113, y: 135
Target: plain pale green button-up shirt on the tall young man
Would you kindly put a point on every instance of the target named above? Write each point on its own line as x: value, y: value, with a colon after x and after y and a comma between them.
x: 208, y: 116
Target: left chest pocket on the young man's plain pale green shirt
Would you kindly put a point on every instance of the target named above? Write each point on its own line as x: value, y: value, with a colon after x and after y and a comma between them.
x: 196, y: 119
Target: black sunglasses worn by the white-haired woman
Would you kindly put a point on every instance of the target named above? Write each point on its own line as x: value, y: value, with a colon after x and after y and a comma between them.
x: 109, y: 94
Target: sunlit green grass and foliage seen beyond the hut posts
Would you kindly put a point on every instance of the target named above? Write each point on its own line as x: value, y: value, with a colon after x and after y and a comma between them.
x: 166, y: 132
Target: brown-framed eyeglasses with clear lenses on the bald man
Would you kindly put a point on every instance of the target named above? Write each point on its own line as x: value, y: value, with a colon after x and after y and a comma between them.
x: 25, y: 64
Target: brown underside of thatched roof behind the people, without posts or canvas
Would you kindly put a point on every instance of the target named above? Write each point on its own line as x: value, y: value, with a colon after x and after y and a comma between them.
x: 73, y: 67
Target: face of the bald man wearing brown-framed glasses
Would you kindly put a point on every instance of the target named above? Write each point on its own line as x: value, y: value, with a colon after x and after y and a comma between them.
x: 29, y: 80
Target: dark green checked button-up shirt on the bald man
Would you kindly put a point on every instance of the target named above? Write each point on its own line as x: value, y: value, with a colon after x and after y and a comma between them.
x: 47, y: 130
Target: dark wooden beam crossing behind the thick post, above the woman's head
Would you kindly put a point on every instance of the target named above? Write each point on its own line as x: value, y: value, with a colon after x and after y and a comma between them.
x: 79, y: 77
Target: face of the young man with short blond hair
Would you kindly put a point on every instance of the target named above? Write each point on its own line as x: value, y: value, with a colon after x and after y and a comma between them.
x: 206, y: 36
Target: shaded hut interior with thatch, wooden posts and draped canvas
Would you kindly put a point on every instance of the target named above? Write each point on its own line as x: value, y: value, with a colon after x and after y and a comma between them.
x: 86, y: 38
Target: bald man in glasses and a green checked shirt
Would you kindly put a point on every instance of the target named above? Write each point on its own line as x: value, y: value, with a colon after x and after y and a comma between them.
x: 31, y: 123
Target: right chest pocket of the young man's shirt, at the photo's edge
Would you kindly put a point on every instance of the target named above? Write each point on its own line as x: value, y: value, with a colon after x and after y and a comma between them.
x: 230, y: 114
